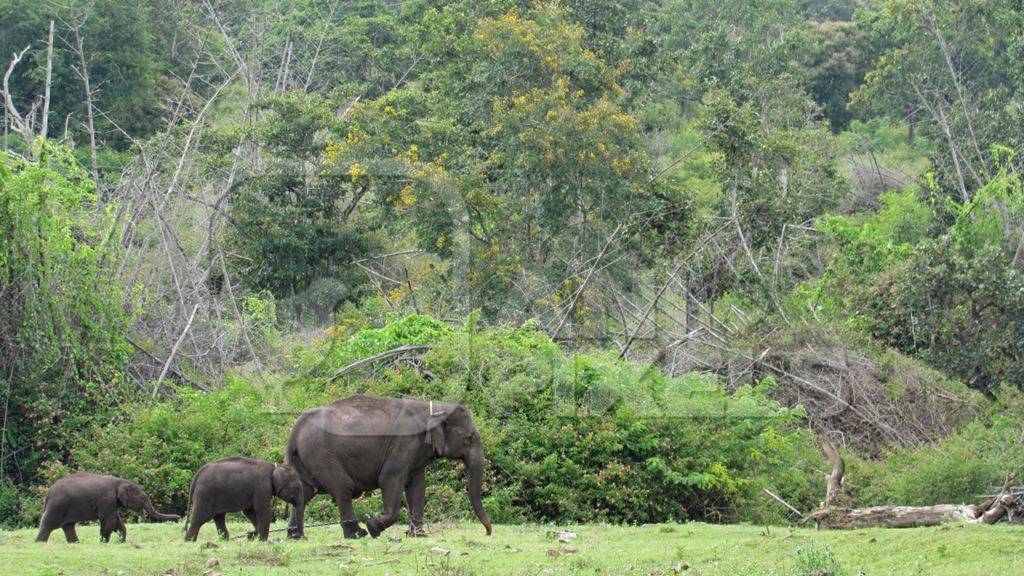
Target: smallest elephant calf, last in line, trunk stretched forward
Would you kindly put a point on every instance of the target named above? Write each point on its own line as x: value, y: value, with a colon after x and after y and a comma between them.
x: 84, y: 498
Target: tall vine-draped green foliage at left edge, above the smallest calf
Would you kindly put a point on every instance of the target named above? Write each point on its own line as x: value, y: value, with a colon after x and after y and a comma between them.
x: 64, y: 327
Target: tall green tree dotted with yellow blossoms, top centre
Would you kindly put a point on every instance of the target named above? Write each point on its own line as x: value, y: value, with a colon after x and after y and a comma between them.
x: 510, y: 157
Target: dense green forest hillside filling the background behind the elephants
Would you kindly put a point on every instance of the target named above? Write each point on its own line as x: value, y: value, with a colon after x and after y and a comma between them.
x: 660, y: 249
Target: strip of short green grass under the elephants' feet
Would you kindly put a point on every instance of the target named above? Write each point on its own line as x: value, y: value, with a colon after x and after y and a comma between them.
x: 694, y: 549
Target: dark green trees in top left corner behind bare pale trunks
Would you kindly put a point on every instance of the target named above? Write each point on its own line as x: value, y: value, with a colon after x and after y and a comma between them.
x: 136, y: 58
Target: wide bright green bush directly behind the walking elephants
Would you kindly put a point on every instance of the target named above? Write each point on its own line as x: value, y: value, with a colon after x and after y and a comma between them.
x: 570, y: 438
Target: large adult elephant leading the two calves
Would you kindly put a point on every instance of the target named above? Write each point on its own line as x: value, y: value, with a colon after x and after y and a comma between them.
x: 362, y: 443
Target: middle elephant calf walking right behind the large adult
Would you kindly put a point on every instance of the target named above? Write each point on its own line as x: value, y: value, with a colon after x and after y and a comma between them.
x: 241, y: 485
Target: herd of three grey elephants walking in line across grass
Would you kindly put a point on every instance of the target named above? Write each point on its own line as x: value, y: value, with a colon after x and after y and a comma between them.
x: 355, y: 445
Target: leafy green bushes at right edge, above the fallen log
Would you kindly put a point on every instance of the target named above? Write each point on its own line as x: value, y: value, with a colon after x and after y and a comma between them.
x: 954, y: 301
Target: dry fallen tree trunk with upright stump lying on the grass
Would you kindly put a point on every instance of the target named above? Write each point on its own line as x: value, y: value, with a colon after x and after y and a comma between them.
x: 835, y: 513
